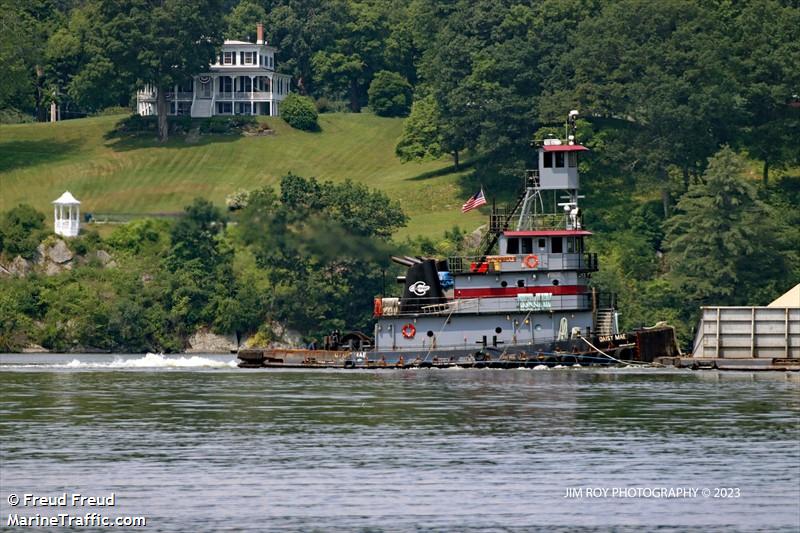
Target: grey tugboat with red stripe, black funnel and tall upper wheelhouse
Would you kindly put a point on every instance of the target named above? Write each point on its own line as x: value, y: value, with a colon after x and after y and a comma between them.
x: 525, y: 301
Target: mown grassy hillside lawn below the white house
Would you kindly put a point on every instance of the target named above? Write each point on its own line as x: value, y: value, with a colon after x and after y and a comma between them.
x: 40, y: 161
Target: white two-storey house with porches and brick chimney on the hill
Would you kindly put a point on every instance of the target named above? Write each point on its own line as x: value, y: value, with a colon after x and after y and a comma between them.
x: 243, y: 81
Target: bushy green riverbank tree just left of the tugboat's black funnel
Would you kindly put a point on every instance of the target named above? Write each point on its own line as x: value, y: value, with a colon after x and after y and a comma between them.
x: 317, y: 286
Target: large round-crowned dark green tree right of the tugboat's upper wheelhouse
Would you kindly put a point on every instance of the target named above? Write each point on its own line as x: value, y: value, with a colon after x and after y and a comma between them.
x: 660, y: 71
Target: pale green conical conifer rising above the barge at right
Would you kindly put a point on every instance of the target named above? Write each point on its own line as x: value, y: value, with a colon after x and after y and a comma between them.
x: 721, y: 246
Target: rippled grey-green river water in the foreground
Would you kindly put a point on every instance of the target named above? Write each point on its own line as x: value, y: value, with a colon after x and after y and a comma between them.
x: 196, y: 444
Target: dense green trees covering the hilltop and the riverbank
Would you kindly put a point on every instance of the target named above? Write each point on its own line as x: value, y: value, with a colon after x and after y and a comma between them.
x: 691, y: 109
